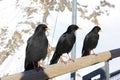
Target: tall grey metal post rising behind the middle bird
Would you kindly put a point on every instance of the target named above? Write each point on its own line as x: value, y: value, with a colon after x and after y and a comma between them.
x: 74, y: 21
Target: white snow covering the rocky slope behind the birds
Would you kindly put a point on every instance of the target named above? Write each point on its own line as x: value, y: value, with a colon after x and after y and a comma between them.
x: 11, y: 17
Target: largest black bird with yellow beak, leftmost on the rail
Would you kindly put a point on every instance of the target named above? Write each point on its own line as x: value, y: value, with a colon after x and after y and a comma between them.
x: 36, y: 49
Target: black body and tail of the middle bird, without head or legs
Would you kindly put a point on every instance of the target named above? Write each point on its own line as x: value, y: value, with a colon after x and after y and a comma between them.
x: 64, y: 45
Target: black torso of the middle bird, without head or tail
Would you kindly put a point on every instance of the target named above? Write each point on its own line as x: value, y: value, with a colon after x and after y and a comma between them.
x: 65, y: 43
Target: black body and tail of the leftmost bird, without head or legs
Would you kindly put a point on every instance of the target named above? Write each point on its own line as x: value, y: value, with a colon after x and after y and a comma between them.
x: 36, y: 50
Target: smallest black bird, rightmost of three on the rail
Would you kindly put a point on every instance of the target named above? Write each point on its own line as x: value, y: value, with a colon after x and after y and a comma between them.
x: 91, y: 41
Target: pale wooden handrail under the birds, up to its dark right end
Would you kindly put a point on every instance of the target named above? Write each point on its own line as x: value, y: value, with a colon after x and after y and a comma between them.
x: 60, y: 68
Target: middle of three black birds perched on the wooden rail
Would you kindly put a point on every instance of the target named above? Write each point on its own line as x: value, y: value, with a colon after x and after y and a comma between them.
x: 65, y: 44
